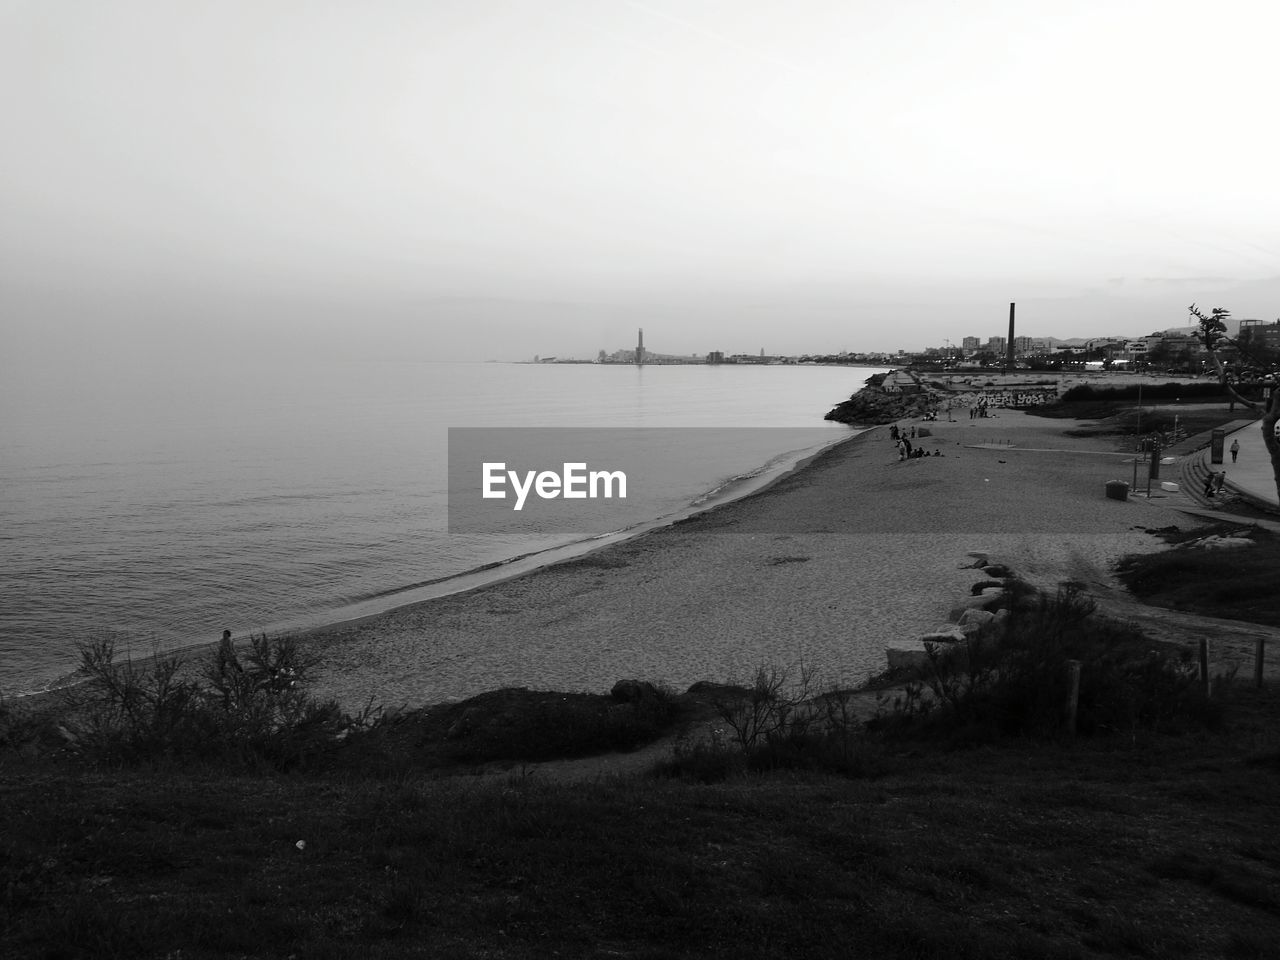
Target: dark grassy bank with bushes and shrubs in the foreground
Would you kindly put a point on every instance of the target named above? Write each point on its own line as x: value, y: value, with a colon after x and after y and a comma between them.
x: 963, y: 821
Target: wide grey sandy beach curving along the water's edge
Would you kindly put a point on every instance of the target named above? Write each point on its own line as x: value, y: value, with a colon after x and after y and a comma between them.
x: 829, y: 565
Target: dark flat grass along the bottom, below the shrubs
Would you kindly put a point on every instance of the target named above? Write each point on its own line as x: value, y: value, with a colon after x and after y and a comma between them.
x: 1117, y: 847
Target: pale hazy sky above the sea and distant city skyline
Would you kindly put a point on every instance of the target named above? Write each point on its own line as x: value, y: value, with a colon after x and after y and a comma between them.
x: 473, y: 180
